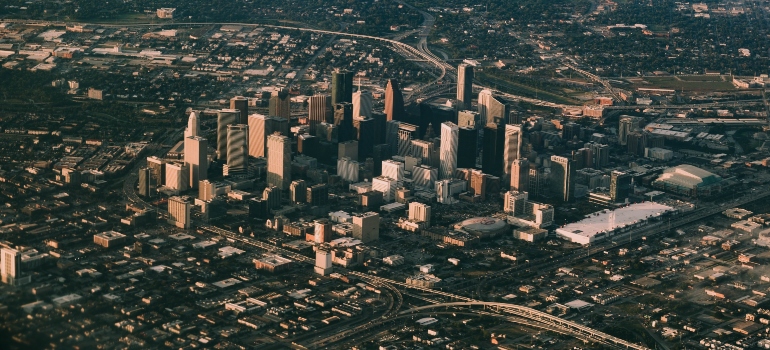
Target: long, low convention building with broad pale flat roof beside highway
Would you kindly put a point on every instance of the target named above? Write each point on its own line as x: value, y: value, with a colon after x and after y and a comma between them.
x: 609, y: 220
